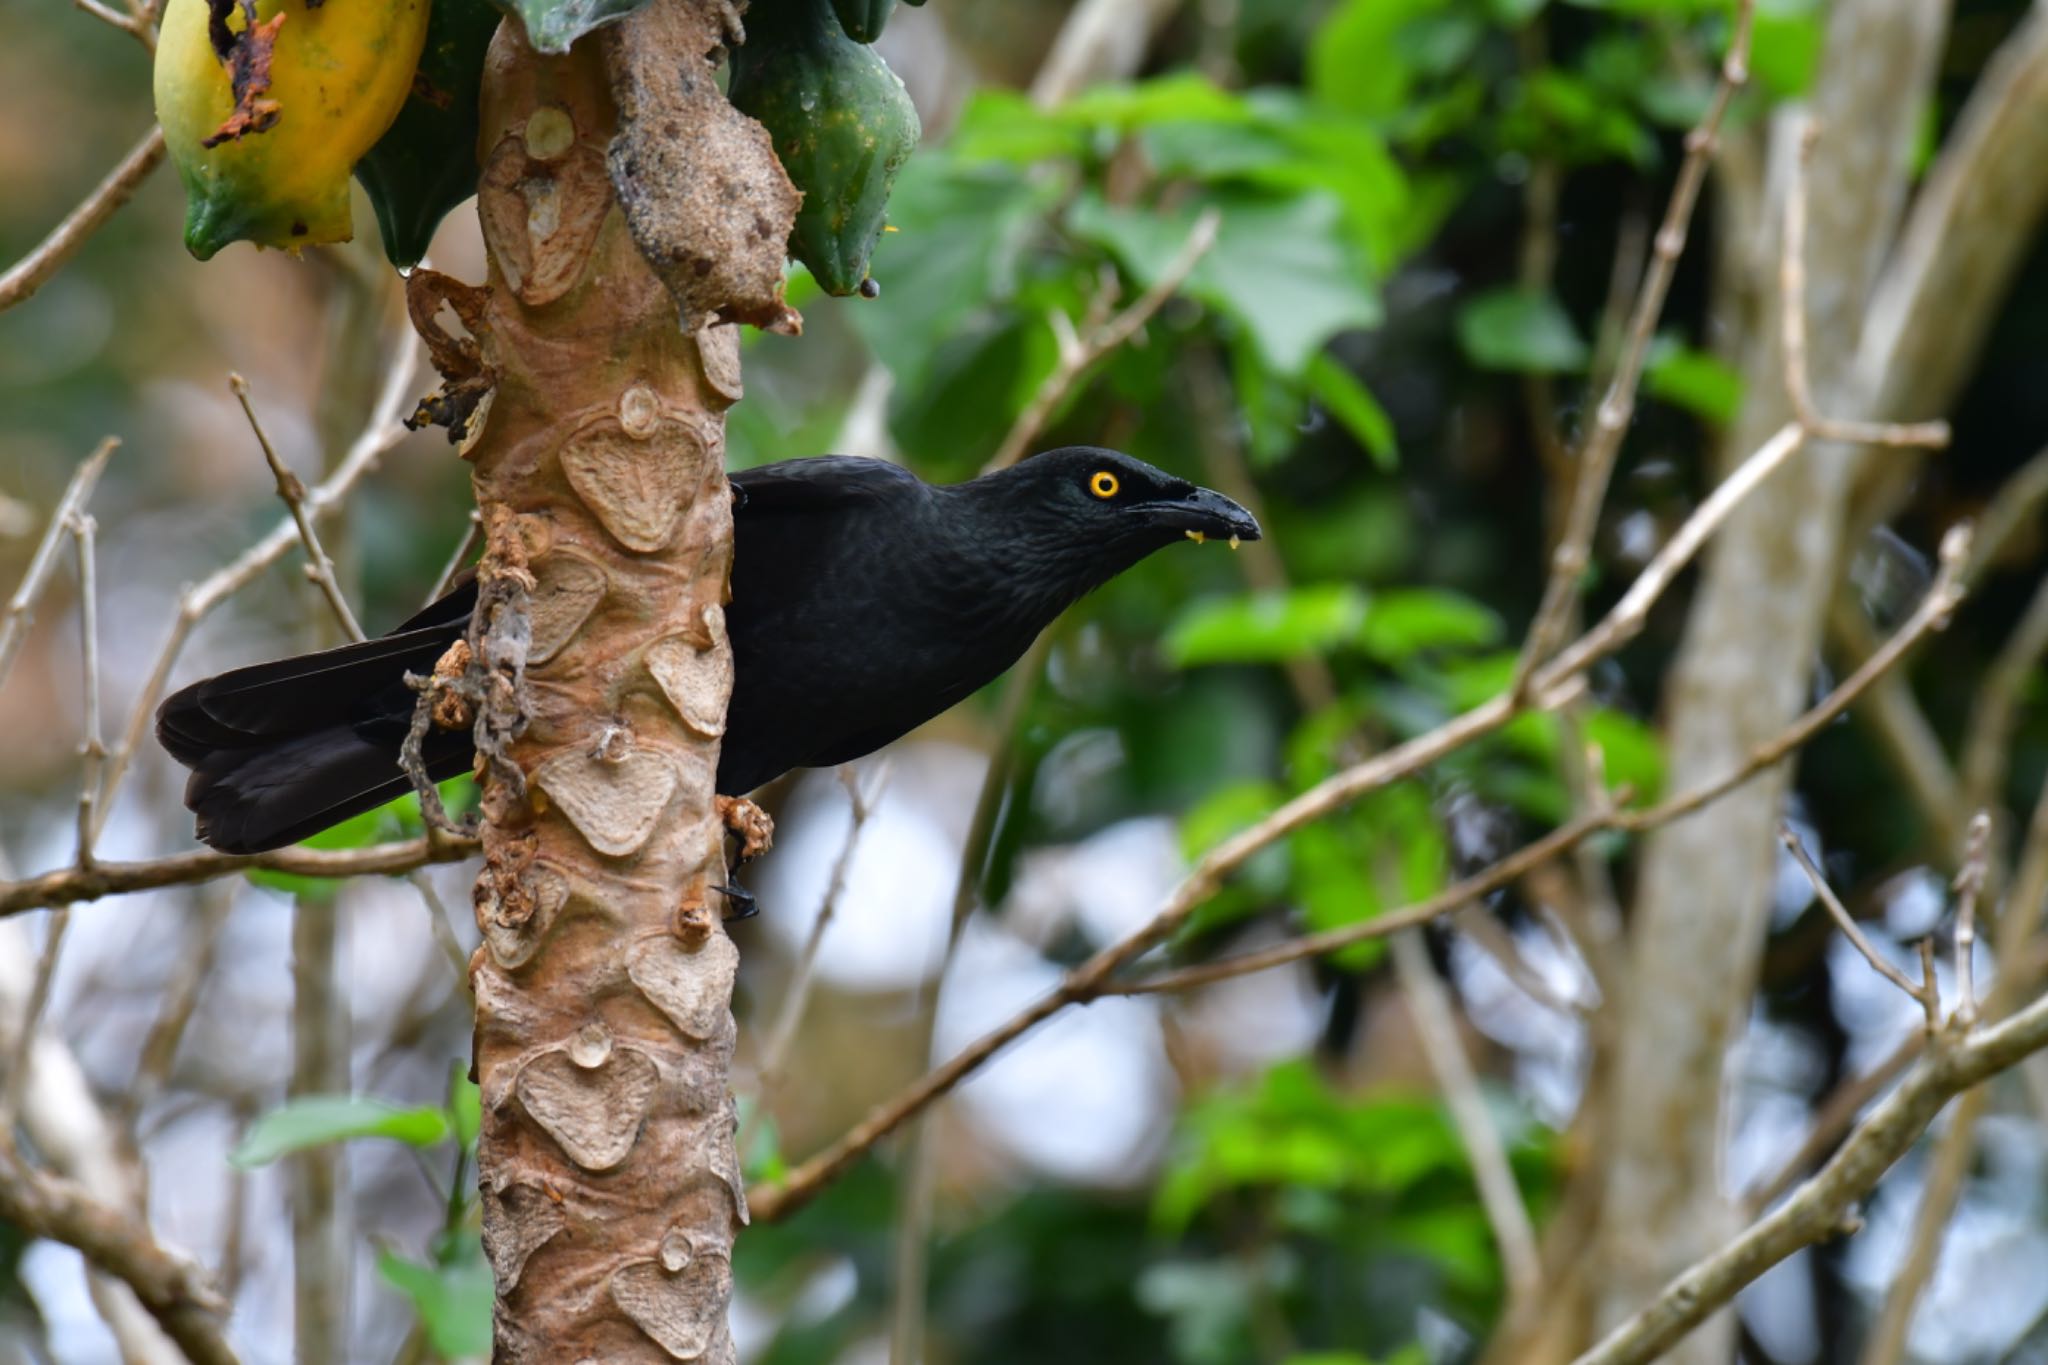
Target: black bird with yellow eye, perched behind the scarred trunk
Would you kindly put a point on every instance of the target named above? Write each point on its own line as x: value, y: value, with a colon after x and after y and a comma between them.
x: 865, y: 603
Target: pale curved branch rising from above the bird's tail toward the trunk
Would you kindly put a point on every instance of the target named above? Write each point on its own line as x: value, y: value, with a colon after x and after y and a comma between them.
x: 380, y: 435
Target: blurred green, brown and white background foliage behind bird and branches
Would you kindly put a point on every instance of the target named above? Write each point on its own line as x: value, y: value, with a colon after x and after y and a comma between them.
x: 1428, y: 216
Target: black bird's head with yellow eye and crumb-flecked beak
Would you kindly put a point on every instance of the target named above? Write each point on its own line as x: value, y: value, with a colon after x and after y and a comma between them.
x: 1117, y: 502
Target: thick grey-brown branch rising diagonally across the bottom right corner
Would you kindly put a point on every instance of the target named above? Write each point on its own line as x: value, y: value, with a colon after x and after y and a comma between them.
x: 1822, y: 1204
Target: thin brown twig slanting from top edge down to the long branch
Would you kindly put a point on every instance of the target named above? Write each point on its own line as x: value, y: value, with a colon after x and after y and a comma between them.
x: 1617, y: 408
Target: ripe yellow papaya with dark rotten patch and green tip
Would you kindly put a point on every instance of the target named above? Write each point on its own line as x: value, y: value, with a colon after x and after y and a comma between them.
x: 267, y: 109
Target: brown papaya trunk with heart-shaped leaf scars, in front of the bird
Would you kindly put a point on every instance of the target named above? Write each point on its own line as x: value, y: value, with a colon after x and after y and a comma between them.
x: 611, y: 1190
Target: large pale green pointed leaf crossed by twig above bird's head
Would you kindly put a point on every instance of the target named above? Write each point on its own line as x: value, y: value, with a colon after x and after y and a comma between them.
x: 1283, y: 267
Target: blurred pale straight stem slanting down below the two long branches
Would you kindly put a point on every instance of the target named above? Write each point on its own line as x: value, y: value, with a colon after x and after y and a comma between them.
x: 1437, y: 1026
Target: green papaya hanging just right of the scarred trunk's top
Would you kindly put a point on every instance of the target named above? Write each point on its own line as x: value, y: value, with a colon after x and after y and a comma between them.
x: 843, y: 128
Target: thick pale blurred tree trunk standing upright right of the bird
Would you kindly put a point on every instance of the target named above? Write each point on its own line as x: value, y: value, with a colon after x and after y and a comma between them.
x: 1742, y: 676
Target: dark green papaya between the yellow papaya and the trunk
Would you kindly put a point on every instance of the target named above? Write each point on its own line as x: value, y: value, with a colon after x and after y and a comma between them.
x: 427, y: 163
